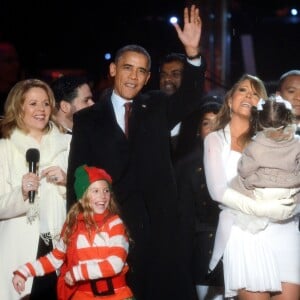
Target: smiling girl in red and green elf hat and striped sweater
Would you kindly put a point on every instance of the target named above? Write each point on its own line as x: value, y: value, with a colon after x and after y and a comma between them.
x: 92, y: 251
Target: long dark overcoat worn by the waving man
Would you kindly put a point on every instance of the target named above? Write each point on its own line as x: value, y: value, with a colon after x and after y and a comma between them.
x: 142, y: 173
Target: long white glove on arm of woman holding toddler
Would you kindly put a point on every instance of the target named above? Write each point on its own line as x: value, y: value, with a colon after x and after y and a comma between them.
x: 276, y: 209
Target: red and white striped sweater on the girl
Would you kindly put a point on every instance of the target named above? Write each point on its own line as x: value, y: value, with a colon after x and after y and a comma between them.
x: 101, y: 254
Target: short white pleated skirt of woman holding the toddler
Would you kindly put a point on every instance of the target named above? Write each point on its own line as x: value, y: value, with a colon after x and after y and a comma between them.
x: 261, y: 261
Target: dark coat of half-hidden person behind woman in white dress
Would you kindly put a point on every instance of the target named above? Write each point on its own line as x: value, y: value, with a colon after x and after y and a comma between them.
x: 199, y: 216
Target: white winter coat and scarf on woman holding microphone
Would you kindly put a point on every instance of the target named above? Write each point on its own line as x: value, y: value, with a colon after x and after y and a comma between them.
x: 19, y: 238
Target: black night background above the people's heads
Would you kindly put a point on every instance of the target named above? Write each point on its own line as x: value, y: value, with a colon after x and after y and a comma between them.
x: 73, y: 34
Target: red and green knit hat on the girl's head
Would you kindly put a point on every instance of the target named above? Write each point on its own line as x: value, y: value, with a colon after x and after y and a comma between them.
x: 84, y: 176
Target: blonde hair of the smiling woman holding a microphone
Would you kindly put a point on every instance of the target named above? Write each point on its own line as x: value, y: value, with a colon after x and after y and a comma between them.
x: 13, y: 108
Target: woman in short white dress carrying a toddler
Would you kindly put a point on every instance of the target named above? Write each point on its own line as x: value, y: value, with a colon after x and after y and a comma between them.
x: 251, y: 261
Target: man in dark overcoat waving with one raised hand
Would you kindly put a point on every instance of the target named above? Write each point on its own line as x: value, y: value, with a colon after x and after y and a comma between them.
x: 140, y: 165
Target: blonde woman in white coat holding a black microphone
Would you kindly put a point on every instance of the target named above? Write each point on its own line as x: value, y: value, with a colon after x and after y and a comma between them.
x: 28, y: 230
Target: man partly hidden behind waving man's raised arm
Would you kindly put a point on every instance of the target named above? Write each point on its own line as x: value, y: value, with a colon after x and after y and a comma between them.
x: 184, y: 134
